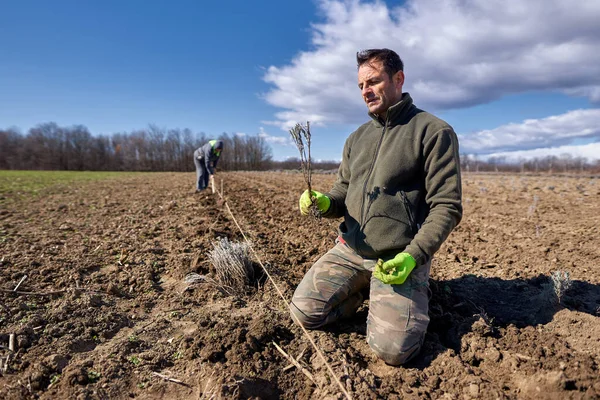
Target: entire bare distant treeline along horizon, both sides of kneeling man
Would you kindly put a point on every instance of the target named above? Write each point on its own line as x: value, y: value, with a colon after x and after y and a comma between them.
x: 52, y: 147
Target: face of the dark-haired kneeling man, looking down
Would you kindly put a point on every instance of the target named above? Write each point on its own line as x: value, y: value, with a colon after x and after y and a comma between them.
x: 378, y: 90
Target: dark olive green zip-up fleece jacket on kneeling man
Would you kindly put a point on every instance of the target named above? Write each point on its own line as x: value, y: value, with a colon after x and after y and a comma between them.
x: 398, y: 186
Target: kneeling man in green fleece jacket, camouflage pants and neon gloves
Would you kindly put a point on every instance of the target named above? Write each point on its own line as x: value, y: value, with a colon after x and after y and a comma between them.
x: 399, y: 191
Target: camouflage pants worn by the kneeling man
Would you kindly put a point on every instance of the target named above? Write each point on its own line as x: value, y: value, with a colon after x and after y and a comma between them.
x: 398, y: 314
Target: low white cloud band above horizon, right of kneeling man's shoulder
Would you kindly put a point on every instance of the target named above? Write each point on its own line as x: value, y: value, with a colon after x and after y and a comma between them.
x: 533, y: 133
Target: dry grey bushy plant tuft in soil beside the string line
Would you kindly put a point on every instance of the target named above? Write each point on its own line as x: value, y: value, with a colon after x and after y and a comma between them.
x: 233, y: 265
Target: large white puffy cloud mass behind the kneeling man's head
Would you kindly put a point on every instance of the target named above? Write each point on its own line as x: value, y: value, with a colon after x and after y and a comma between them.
x: 457, y: 53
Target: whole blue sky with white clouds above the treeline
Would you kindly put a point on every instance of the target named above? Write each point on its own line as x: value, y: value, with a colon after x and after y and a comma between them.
x: 500, y: 72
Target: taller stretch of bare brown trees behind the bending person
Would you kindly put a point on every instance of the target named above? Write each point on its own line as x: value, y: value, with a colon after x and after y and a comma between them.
x: 52, y: 147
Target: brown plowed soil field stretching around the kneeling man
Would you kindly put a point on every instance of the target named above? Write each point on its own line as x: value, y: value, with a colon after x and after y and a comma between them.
x: 105, y: 312
